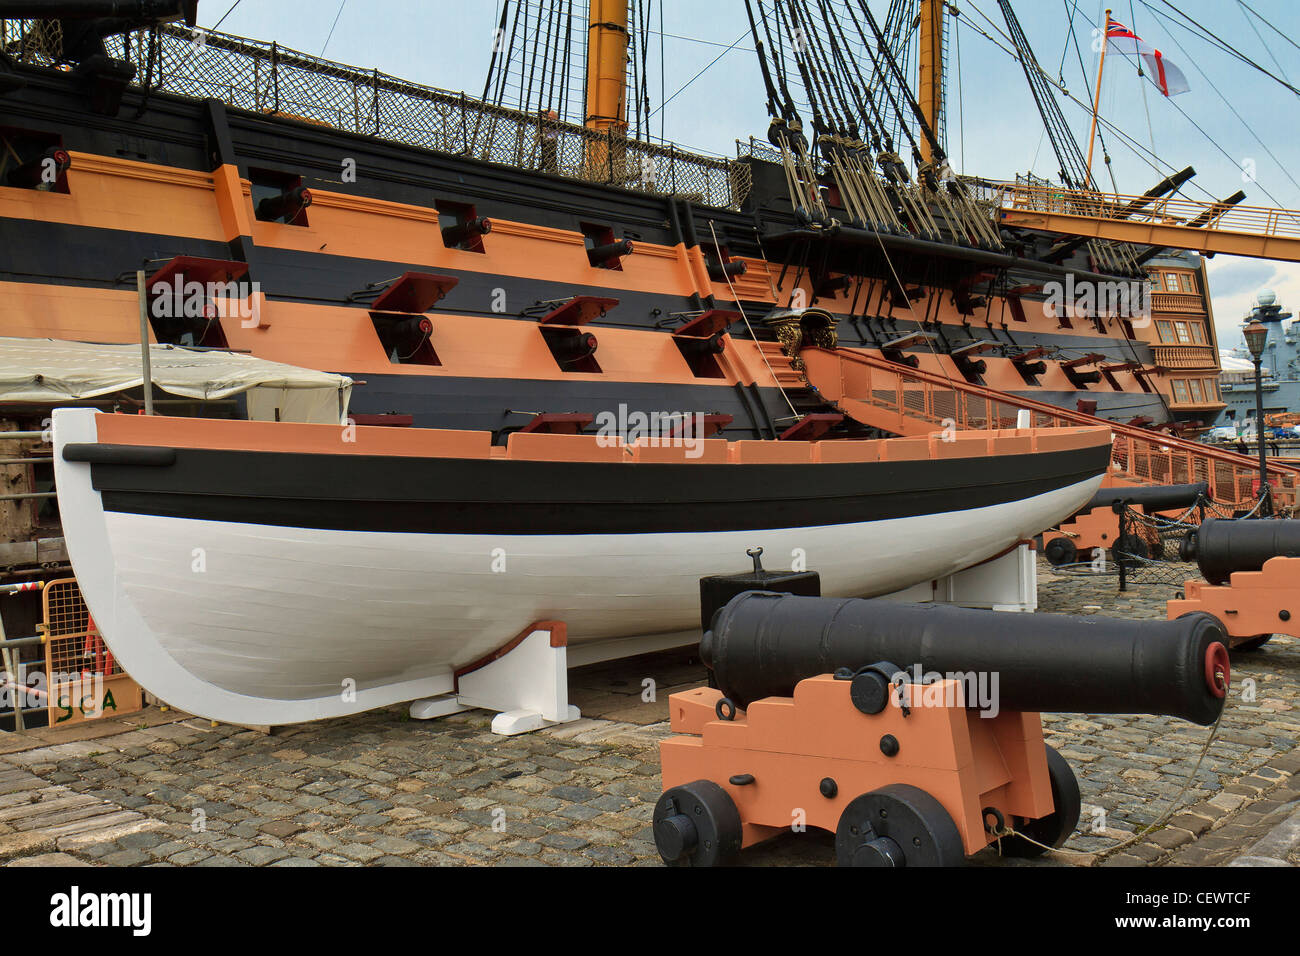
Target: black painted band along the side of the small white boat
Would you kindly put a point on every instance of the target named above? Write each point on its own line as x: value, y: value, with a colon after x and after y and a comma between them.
x: 495, y: 498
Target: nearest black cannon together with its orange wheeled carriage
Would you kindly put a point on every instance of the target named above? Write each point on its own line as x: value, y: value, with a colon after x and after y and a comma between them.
x: 909, y: 732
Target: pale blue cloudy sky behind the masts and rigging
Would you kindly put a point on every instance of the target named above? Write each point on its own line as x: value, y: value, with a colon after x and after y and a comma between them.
x: 1236, y: 126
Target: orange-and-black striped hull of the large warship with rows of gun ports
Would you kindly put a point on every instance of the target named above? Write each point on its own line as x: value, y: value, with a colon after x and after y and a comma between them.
x: 648, y: 244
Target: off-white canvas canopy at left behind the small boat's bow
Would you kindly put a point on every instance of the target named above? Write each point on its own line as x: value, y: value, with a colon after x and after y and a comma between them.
x: 44, y: 371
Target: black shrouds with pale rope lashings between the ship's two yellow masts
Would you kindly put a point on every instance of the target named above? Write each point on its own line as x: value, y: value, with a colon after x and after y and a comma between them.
x: 844, y: 116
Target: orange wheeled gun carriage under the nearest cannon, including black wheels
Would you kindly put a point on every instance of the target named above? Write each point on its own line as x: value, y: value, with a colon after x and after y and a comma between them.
x: 904, y: 775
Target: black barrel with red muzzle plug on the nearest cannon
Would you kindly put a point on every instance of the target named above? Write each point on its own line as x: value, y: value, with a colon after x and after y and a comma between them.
x: 762, y: 644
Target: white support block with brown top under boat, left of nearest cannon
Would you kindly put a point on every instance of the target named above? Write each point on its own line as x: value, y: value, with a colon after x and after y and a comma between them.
x: 528, y: 685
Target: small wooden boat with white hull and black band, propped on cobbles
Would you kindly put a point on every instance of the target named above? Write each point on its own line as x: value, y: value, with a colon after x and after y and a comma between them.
x: 252, y: 586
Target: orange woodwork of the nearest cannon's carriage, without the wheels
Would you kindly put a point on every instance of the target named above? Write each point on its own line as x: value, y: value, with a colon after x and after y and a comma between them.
x: 791, y: 745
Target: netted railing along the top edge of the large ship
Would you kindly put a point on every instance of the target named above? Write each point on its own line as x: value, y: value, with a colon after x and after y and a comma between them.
x: 272, y: 80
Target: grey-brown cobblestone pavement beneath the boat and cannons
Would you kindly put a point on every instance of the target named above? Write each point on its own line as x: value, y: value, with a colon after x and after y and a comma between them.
x: 383, y: 790
